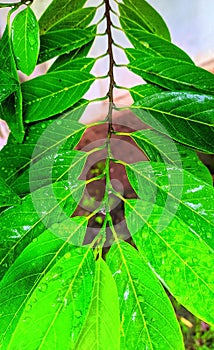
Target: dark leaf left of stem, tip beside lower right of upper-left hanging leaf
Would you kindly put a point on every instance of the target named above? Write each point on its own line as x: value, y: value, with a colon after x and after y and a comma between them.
x: 63, y: 41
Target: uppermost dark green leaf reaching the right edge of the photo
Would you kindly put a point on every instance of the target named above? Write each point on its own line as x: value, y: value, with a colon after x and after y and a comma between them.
x: 173, y: 74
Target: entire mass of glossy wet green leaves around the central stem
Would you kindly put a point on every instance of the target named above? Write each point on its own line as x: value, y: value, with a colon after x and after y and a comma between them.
x: 63, y: 284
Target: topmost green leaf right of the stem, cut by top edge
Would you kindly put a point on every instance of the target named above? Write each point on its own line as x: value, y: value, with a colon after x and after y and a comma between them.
x: 139, y: 14
